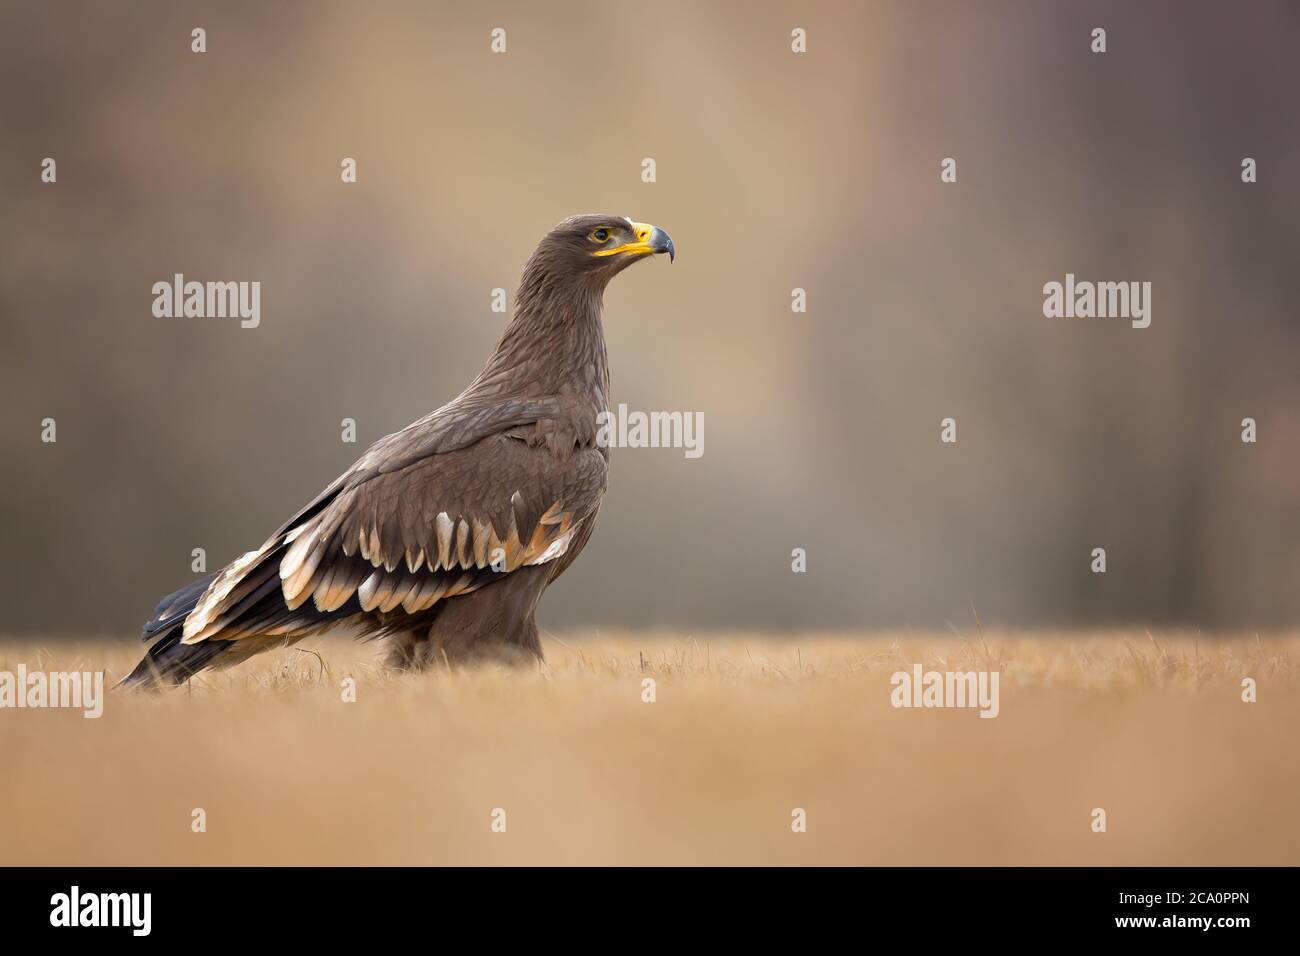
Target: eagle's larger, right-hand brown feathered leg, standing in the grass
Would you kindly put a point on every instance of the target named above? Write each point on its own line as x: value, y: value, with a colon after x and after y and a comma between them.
x: 493, y: 625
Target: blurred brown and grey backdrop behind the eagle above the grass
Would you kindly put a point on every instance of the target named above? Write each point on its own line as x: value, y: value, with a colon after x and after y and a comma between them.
x: 774, y: 171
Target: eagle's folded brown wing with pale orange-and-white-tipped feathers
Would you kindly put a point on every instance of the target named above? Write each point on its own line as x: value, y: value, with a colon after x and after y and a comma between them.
x: 436, y: 511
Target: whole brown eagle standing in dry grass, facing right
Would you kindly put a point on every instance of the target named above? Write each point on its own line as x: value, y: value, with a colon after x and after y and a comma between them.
x: 443, y: 538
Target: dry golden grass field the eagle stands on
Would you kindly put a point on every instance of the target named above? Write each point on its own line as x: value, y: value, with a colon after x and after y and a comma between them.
x: 744, y: 730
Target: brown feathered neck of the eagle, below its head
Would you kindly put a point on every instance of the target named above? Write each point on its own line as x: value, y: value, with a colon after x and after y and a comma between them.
x: 556, y: 343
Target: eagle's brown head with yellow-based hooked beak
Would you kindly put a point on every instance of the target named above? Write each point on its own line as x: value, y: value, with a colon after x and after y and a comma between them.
x: 600, y: 248
